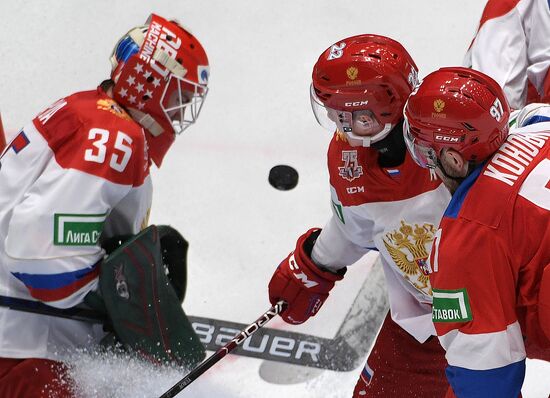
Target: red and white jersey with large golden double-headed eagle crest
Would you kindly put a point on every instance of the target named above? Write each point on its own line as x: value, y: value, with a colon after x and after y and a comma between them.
x: 393, y: 210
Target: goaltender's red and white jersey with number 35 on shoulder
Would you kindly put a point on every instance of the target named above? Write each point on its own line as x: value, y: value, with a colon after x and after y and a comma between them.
x: 79, y: 171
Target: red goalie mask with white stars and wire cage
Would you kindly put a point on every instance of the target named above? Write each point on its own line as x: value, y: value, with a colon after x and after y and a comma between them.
x: 161, y: 74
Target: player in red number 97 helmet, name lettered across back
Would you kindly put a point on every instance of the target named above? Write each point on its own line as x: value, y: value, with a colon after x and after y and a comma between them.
x: 489, y: 264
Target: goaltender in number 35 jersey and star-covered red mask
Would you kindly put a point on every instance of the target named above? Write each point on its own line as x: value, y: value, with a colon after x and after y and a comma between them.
x: 79, y: 170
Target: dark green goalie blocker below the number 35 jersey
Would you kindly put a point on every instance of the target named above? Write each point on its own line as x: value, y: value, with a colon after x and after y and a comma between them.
x: 141, y: 289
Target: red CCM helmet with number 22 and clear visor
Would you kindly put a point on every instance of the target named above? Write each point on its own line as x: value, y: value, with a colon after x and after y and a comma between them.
x: 362, y: 83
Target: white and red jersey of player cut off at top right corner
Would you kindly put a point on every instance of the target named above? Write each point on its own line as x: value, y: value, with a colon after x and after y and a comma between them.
x: 511, y: 45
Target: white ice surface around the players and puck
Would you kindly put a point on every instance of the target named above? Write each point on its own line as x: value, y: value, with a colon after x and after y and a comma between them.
x: 213, y: 185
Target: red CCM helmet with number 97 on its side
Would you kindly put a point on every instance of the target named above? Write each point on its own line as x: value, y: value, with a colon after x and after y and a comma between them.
x: 457, y: 108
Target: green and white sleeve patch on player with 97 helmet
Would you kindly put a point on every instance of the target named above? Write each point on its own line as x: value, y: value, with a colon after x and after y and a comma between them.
x: 451, y: 306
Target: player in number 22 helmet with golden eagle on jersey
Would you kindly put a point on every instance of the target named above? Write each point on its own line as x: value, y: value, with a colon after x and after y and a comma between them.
x: 381, y: 201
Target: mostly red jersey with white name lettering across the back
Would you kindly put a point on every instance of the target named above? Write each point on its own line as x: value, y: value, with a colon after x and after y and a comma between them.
x: 488, y: 263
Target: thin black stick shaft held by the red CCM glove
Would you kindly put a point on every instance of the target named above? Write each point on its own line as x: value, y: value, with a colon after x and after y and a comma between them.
x: 226, y: 349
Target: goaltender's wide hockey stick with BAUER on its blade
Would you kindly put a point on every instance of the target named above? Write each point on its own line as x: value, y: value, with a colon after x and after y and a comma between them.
x: 341, y: 353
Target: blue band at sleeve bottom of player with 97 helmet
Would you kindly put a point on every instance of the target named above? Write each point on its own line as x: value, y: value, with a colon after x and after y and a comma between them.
x: 502, y: 382
